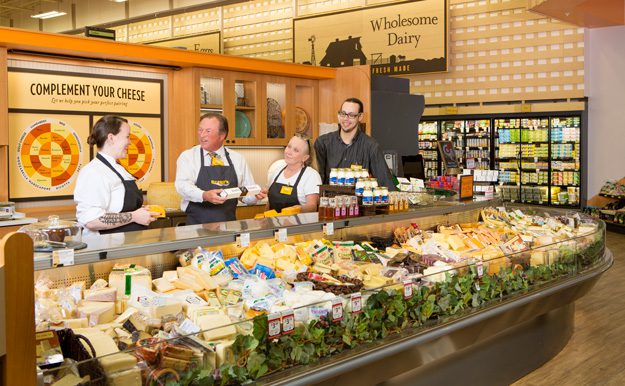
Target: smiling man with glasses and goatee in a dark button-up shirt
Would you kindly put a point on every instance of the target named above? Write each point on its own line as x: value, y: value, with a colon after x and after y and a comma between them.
x: 351, y: 146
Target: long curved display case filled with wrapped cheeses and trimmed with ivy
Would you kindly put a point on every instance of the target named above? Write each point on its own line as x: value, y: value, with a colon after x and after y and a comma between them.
x: 322, y: 303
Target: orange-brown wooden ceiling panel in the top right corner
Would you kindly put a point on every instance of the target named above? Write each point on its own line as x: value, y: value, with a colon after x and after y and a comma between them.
x: 584, y: 13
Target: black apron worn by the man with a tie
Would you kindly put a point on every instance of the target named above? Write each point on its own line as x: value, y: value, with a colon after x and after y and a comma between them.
x: 213, y: 177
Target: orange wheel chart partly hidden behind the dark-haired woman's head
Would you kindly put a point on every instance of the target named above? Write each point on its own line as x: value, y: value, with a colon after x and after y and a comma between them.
x: 140, y: 157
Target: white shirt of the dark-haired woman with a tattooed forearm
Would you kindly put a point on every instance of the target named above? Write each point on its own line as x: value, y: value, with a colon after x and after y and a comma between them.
x: 99, y: 190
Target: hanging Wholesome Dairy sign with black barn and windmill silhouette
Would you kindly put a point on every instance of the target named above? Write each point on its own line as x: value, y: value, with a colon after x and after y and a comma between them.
x: 394, y: 39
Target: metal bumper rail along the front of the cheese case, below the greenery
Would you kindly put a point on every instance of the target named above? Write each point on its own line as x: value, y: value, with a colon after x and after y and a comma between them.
x: 350, y: 363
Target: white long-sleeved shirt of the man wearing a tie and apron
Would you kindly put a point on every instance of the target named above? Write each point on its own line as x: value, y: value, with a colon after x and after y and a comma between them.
x: 188, y: 167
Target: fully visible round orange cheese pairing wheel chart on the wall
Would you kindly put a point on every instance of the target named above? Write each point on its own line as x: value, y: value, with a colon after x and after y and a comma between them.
x: 48, y: 154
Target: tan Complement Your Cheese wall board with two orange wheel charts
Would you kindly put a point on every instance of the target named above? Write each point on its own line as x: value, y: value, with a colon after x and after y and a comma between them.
x: 51, y: 114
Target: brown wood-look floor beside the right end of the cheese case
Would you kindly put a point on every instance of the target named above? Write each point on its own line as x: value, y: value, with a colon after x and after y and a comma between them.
x: 595, y: 355
